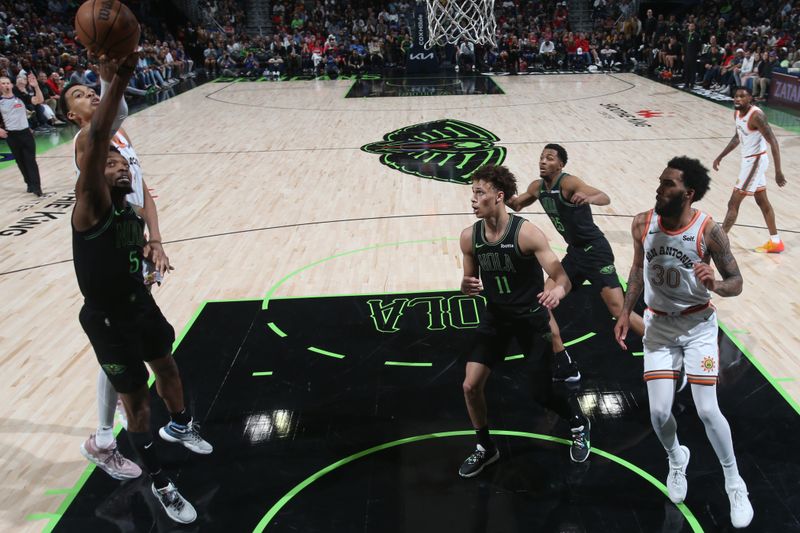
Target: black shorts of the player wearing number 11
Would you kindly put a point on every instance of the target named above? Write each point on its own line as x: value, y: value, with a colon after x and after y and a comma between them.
x: 497, y: 329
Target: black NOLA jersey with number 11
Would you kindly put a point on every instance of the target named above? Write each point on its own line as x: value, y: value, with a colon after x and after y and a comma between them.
x: 511, y: 281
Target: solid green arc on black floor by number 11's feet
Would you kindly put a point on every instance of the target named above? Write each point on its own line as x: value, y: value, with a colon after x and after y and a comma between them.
x: 342, y: 462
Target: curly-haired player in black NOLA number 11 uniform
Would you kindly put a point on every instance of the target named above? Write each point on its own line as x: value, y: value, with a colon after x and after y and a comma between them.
x: 503, y: 258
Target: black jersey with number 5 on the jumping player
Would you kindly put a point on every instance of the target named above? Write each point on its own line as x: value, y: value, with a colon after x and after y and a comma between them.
x: 108, y: 263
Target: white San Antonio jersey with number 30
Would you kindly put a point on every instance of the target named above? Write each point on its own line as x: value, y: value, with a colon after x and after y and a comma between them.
x: 670, y: 284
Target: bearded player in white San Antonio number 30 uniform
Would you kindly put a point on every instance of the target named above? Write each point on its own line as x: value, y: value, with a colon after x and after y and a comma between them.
x: 673, y: 245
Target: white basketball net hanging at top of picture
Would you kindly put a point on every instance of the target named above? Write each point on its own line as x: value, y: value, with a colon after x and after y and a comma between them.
x: 450, y: 21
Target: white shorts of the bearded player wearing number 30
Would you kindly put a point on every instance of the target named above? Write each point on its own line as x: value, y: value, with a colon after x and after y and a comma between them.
x: 683, y: 340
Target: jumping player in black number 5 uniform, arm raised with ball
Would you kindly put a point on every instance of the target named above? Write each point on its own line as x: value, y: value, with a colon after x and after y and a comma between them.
x: 120, y: 317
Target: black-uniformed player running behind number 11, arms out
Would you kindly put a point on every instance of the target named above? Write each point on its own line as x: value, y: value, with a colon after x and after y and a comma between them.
x: 567, y: 200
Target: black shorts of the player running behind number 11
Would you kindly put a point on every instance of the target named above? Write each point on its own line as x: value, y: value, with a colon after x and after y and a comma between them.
x: 594, y: 261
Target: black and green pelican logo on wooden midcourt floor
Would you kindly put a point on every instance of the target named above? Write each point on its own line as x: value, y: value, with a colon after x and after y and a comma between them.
x: 442, y: 150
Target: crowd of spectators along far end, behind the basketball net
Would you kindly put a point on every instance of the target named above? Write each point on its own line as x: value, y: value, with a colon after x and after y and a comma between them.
x: 337, y: 37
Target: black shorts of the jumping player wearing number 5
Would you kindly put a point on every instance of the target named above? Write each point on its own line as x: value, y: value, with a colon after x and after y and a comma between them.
x: 123, y: 345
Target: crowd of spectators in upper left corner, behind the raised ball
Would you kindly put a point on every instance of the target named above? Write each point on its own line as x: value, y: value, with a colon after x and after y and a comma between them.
x: 38, y: 36
